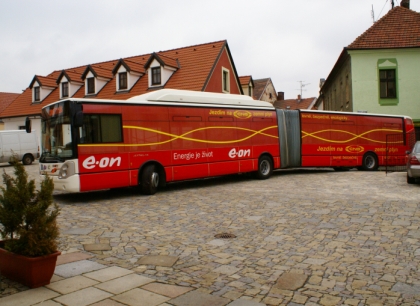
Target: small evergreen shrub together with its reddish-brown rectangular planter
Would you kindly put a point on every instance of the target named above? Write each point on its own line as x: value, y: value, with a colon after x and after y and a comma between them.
x: 28, y: 251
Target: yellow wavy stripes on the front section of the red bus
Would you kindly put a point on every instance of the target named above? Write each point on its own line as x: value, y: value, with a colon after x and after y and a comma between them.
x: 184, y: 136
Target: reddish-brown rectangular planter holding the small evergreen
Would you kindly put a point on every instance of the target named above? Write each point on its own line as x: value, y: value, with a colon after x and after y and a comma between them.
x: 32, y: 272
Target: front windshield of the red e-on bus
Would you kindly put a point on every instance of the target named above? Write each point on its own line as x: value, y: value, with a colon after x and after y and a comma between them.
x: 56, y: 140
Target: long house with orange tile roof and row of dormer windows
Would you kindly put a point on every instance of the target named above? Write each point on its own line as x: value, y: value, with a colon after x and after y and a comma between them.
x: 206, y: 67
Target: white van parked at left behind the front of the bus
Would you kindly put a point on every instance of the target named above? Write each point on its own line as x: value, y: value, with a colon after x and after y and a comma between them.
x: 24, y: 145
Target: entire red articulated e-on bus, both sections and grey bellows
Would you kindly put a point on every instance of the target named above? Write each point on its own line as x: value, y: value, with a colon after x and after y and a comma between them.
x: 174, y: 135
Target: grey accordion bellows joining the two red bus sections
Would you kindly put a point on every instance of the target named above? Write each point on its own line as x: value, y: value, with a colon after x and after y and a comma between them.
x: 290, y: 139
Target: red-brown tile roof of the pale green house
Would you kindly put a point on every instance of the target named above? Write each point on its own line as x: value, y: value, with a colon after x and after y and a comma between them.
x: 399, y: 28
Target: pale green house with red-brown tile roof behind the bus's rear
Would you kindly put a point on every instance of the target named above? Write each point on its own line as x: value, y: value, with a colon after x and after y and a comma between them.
x: 379, y: 71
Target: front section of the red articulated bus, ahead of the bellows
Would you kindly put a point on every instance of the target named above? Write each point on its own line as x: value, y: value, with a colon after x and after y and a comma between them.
x: 162, y: 136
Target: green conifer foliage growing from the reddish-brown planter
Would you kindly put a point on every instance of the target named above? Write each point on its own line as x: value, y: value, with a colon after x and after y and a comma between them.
x: 28, y: 218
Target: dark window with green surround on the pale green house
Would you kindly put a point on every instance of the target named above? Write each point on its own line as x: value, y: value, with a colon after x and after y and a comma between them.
x: 388, y: 81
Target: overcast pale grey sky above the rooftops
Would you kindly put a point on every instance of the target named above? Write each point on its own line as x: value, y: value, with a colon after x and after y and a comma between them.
x: 288, y: 41
